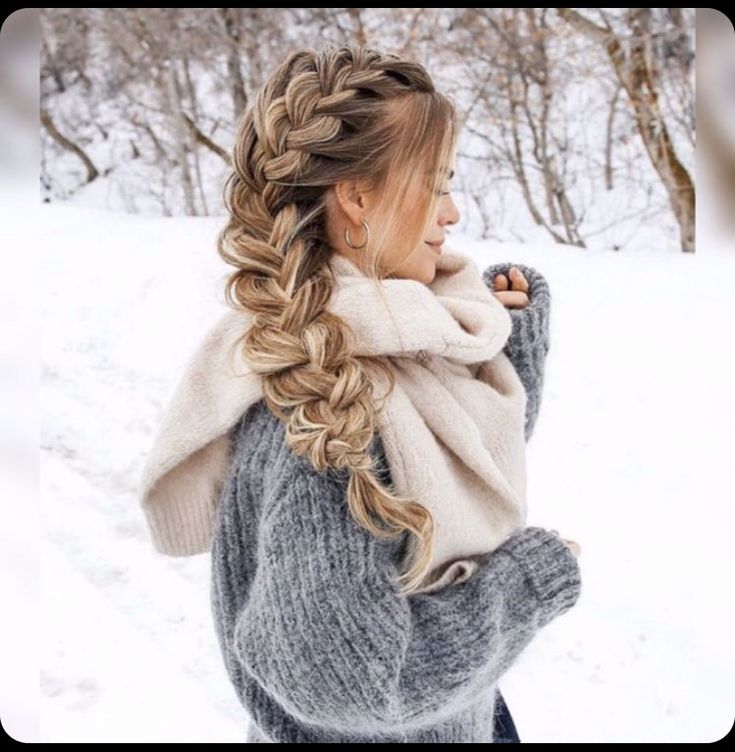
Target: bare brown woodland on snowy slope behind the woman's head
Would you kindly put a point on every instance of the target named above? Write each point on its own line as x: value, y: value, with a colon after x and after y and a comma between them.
x: 151, y: 96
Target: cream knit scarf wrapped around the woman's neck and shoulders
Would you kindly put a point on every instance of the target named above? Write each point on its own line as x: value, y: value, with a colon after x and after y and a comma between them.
x: 452, y: 428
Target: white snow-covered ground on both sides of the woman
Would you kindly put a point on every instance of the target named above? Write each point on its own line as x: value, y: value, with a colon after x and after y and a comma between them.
x: 629, y: 458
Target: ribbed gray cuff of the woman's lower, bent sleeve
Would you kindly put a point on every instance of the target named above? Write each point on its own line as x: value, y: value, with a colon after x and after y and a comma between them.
x: 549, y: 565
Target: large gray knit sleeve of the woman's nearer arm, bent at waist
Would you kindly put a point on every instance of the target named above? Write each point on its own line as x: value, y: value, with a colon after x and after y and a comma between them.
x: 326, y: 632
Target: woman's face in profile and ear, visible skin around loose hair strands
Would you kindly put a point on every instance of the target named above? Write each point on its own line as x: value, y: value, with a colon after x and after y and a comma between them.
x: 420, y: 264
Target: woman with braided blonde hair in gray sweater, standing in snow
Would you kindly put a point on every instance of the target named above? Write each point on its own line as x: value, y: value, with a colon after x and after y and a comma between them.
x: 313, y: 531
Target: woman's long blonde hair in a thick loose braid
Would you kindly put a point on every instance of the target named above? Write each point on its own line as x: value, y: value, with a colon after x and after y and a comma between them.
x: 344, y: 112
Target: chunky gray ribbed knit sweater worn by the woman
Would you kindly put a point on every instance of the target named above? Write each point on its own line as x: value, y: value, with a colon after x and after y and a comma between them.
x: 317, y: 641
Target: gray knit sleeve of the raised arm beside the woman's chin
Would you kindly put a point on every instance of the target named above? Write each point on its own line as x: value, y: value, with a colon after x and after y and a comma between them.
x: 529, y: 341
